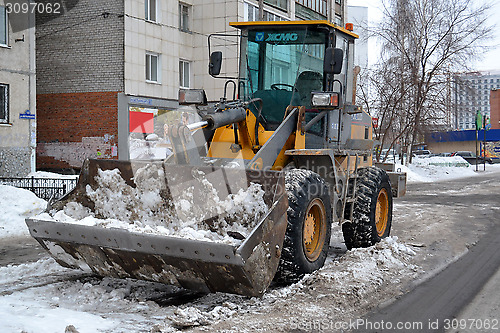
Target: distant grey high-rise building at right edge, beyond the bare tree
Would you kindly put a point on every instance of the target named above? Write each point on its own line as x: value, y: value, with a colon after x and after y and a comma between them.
x: 472, y: 94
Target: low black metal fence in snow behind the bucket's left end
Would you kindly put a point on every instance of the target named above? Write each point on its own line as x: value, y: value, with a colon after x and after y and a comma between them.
x: 44, y: 188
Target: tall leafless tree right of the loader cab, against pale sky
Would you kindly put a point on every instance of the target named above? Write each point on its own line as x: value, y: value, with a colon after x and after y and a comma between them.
x: 423, y: 42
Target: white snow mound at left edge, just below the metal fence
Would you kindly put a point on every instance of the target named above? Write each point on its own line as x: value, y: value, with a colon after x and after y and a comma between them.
x: 15, y: 205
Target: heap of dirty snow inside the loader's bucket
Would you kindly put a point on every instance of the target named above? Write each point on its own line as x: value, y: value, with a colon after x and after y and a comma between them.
x: 195, y: 212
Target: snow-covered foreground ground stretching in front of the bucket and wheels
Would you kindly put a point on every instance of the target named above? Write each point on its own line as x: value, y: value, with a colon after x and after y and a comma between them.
x: 110, y: 305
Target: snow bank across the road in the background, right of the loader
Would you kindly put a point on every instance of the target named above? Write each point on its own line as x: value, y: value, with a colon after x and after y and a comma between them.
x: 435, y: 168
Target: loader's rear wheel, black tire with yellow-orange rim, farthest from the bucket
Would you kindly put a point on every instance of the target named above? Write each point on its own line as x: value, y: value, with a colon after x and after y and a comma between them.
x: 372, y: 187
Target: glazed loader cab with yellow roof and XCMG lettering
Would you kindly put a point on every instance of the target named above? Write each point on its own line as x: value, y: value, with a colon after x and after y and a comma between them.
x: 282, y: 63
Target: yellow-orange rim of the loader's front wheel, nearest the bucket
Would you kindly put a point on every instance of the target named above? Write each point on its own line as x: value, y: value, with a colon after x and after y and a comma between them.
x: 314, y: 232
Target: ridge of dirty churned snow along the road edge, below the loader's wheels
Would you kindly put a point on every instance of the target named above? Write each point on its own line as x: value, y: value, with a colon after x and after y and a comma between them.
x: 346, y: 280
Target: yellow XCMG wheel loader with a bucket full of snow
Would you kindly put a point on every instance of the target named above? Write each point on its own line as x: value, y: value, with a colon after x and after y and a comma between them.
x: 291, y: 128
